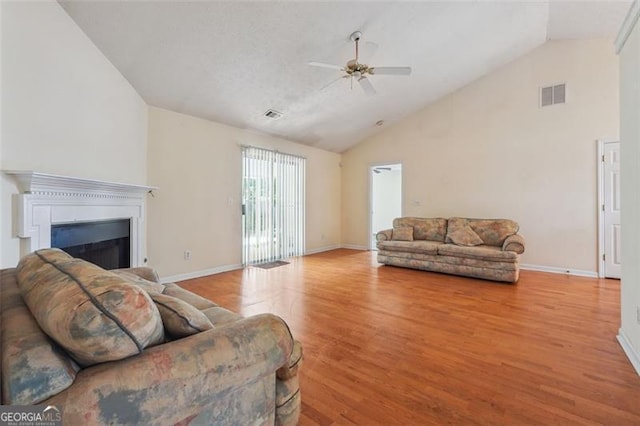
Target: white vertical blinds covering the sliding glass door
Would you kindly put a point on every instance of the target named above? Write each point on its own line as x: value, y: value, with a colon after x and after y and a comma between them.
x: 273, y: 205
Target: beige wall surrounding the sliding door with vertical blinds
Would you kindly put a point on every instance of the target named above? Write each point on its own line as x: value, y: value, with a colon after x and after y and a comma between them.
x: 197, y: 166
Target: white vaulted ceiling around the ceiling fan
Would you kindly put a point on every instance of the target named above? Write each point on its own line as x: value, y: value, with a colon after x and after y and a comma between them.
x: 230, y: 61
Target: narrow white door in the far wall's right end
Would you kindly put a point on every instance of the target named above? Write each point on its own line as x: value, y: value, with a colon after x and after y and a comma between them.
x: 611, y: 209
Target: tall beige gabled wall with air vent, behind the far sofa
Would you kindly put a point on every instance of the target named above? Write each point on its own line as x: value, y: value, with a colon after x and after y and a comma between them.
x: 488, y: 150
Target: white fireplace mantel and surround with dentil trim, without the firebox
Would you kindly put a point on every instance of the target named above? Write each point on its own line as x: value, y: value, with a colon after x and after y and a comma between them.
x: 47, y: 200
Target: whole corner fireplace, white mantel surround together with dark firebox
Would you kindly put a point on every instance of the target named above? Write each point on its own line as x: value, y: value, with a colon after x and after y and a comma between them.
x: 52, y: 206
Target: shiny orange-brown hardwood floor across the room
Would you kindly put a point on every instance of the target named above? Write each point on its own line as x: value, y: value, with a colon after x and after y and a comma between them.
x: 387, y: 345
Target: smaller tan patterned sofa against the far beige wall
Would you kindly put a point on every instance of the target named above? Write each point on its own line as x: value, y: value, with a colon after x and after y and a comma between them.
x: 480, y: 248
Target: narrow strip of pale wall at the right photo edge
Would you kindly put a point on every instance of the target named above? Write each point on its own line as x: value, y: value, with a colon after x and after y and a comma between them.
x: 630, y: 193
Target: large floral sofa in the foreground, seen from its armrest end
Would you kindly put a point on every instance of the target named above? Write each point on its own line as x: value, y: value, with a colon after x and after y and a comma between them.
x: 118, y: 347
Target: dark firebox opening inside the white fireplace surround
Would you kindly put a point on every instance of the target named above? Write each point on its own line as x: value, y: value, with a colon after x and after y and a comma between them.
x: 105, y: 243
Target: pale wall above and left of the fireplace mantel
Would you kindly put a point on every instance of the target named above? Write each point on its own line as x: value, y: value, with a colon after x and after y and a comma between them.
x: 65, y: 108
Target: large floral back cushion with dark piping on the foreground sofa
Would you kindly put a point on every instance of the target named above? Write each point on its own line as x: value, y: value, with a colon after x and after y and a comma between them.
x: 94, y: 314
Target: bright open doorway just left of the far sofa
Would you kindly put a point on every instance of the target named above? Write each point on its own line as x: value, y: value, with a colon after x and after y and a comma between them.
x: 385, y: 198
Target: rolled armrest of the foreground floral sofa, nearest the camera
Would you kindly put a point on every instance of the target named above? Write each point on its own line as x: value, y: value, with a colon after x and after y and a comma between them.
x: 176, y: 380
